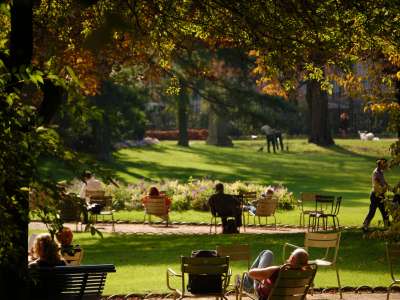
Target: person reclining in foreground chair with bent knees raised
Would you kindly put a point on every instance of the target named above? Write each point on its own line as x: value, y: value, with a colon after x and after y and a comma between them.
x: 263, y: 273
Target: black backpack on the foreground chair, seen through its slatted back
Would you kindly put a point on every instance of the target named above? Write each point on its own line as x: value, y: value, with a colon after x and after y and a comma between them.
x: 204, y: 284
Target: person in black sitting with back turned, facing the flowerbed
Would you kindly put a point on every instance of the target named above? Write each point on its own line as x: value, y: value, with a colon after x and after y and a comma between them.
x: 224, y: 206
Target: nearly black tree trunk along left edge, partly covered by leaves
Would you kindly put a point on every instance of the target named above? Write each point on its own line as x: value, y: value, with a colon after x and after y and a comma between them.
x: 13, y: 269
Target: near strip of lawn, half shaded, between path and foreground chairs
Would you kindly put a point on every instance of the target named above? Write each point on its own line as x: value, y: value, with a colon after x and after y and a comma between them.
x: 141, y: 260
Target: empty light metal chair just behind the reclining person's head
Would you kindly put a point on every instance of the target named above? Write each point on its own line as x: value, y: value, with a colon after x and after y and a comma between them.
x: 321, y: 241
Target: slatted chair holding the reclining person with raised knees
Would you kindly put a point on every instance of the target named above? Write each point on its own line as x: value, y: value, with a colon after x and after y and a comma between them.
x: 291, y: 283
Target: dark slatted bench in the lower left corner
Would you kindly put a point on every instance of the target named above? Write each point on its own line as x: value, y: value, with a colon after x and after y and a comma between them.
x: 84, y: 282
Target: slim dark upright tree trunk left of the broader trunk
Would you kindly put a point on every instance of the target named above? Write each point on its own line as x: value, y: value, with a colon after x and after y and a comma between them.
x: 183, y: 106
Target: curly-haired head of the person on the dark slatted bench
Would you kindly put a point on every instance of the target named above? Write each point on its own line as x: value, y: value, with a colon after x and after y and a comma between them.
x: 46, y: 249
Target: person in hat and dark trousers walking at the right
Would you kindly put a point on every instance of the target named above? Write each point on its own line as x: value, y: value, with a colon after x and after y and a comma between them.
x: 377, y: 196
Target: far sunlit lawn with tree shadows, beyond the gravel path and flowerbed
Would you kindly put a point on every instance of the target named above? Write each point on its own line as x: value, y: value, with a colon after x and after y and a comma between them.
x: 343, y: 169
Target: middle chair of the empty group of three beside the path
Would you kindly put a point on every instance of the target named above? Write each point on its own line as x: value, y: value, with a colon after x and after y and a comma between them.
x: 324, y: 206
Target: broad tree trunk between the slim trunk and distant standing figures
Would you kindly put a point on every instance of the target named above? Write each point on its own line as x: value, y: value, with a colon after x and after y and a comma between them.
x: 218, y: 130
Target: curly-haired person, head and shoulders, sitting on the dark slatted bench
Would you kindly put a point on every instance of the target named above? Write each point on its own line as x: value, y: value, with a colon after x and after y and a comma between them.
x: 46, y: 252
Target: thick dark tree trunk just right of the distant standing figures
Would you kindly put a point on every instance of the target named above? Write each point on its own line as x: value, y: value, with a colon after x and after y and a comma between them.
x: 317, y: 101
